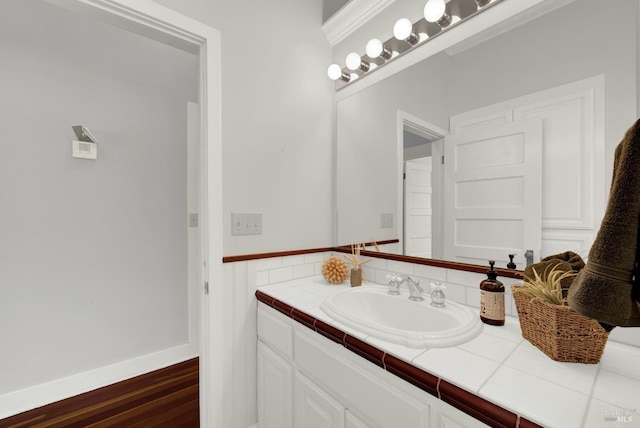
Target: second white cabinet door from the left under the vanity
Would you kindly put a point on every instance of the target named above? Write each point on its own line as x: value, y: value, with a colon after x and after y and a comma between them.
x: 314, y: 408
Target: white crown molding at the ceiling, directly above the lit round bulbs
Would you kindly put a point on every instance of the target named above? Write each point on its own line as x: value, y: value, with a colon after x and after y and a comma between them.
x: 352, y: 16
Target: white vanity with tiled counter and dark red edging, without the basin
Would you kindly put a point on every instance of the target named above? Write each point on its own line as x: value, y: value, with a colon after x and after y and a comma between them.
x: 315, y: 371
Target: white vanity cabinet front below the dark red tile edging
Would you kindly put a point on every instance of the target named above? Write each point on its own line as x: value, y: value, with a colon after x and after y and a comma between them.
x: 306, y: 380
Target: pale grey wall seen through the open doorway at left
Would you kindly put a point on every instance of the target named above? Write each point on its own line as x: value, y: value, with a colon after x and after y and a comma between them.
x: 93, y: 254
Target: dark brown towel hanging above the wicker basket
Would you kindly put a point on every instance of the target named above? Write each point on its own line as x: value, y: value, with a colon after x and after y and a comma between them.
x: 607, y: 289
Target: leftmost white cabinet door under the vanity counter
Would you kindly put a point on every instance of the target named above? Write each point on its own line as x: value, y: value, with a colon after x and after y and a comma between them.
x: 275, y: 383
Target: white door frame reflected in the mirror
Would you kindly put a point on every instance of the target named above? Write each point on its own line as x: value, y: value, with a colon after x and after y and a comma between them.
x: 432, y: 132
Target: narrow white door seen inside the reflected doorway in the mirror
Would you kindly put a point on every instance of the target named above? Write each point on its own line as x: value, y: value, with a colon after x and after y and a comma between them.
x: 417, y: 208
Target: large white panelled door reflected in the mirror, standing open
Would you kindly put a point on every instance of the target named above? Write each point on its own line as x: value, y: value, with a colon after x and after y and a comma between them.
x: 492, y: 193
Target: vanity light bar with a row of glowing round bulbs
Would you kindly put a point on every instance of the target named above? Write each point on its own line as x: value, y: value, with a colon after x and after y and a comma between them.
x: 442, y: 13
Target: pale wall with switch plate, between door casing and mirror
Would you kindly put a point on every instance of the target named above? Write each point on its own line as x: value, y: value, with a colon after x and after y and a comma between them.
x: 277, y: 119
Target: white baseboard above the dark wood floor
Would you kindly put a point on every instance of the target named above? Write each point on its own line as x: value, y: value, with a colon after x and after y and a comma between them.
x: 39, y: 395
